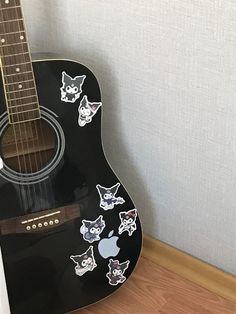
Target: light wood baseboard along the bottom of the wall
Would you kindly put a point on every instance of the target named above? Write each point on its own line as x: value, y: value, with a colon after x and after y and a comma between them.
x: 190, y: 268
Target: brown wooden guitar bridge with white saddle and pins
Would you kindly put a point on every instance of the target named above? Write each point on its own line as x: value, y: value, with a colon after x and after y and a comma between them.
x: 40, y: 221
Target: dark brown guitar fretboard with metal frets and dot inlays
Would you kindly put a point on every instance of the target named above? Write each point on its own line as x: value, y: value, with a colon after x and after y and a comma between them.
x: 17, y: 71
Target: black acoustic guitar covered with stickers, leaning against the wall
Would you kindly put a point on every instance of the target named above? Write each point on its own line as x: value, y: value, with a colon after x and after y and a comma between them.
x: 69, y: 232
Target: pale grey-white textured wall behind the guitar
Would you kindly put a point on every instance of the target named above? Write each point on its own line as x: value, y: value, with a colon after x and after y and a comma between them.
x: 167, y: 70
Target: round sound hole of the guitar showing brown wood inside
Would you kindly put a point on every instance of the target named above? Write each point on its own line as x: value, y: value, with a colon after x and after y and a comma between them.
x: 28, y: 147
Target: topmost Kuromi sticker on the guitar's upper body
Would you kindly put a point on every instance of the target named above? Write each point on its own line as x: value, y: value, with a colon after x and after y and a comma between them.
x: 72, y: 87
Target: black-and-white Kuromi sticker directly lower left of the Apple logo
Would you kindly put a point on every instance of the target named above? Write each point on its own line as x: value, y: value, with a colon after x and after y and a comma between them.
x: 84, y: 262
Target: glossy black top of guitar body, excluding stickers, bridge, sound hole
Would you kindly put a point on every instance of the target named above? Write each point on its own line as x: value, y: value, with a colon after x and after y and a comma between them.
x: 39, y: 272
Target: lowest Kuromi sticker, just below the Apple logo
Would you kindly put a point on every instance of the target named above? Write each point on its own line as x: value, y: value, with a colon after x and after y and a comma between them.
x: 116, y: 272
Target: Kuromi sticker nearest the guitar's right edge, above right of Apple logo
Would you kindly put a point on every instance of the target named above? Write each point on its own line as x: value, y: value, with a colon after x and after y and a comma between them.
x: 128, y: 221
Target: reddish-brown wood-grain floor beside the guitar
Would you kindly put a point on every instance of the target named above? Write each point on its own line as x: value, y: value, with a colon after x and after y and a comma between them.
x: 153, y: 289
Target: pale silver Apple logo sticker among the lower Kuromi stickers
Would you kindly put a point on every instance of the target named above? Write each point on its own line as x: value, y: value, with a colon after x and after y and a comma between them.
x: 107, y: 247
